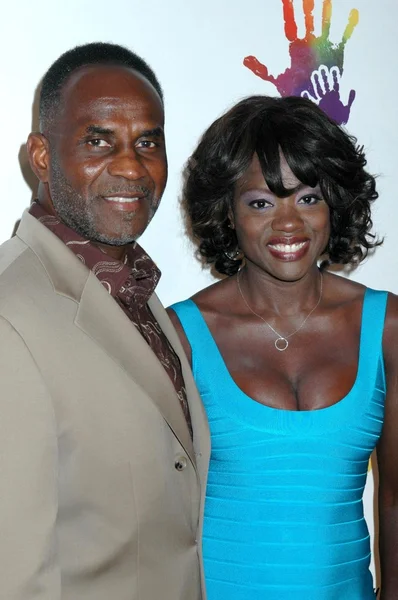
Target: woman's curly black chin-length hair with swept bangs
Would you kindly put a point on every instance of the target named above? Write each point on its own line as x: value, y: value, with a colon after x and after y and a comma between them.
x: 317, y: 151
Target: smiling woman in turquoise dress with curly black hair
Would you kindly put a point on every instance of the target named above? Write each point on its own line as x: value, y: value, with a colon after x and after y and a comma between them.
x: 297, y: 366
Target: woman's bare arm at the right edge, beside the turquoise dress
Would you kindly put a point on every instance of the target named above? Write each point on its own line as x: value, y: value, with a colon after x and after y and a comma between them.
x: 387, y: 458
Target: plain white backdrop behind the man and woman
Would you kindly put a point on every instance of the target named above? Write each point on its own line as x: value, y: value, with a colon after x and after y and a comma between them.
x: 197, y: 50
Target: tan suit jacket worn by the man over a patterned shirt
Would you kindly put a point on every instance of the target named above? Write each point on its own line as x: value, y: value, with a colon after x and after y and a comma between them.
x: 101, y: 487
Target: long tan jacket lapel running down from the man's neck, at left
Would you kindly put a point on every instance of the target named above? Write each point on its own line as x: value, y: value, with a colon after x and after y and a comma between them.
x: 100, y: 317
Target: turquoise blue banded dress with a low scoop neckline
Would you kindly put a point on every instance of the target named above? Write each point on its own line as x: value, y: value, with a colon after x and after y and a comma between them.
x: 284, y: 515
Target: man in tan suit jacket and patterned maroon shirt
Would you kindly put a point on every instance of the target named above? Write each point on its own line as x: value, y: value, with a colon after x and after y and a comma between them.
x: 103, y: 441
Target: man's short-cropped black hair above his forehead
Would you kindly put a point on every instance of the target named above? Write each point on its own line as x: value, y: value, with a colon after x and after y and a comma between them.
x: 81, y: 56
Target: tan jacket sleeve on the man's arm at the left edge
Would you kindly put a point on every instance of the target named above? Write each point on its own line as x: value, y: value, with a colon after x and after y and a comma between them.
x: 28, y: 476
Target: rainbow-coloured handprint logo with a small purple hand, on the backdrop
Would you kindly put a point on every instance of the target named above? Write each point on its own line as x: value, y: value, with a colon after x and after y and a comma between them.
x: 317, y: 64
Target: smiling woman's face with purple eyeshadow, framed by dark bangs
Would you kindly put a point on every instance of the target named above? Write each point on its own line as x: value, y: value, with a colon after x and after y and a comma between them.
x: 283, y: 237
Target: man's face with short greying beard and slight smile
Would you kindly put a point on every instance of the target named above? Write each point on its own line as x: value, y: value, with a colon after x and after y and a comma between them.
x: 107, y: 158
